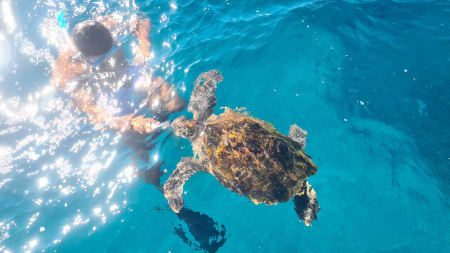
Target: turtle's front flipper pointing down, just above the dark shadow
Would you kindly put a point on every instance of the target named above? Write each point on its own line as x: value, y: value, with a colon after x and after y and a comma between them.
x: 173, y: 188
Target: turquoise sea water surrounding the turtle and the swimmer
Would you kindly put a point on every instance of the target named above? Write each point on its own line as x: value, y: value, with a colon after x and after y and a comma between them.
x: 368, y: 80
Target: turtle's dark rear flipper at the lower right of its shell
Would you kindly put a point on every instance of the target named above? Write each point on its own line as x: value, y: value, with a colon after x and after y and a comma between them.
x: 306, y: 205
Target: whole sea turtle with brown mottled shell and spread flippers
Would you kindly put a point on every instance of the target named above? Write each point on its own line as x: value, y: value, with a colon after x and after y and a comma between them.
x: 245, y: 154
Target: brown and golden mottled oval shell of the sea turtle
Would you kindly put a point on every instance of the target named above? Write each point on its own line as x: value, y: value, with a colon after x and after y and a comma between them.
x: 250, y: 157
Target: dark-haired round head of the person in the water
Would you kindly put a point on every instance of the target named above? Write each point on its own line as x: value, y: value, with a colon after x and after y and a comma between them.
x: 92, y: 38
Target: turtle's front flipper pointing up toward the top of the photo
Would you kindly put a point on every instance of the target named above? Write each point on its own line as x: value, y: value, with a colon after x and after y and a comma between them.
x: 203, y: 97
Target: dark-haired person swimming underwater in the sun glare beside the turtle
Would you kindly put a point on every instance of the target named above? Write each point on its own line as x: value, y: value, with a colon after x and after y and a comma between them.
x: 93, y: 70
